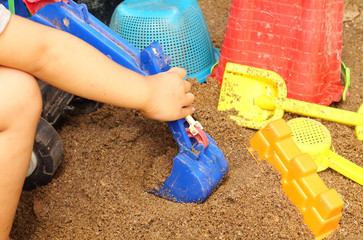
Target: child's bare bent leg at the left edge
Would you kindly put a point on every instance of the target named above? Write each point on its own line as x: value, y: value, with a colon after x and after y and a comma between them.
x: 20, y: 108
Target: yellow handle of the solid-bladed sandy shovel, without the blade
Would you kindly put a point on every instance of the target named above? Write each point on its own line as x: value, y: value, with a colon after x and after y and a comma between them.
x: 311, y: 110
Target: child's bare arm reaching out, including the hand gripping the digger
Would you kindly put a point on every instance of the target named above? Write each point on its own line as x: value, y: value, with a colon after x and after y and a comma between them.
x: 72, y: 65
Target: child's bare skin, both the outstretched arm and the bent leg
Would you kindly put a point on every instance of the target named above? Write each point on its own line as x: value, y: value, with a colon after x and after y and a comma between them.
x: 28, y: 49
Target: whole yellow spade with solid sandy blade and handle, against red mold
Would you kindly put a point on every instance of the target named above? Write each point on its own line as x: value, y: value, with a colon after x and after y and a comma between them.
x: 254, y: 97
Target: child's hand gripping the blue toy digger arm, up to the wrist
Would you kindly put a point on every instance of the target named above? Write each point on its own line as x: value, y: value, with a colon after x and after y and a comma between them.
x: 169, y: 98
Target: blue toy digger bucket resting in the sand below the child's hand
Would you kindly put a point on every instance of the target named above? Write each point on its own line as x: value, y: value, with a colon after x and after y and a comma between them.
x: 194, y: 176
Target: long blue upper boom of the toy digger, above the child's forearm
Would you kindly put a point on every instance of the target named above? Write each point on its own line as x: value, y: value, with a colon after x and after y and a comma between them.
x: 75, y: 19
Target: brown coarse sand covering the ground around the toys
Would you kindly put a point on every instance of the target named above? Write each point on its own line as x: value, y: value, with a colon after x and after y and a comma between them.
x: 113, y: 156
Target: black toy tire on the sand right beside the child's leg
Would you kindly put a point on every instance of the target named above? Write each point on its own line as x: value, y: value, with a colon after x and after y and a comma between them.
x: 49, y: 152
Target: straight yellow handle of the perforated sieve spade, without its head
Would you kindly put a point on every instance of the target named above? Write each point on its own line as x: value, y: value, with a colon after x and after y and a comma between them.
x: 345, y: 167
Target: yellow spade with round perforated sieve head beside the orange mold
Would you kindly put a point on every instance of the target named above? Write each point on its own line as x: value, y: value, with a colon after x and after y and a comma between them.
x: 314, y: 138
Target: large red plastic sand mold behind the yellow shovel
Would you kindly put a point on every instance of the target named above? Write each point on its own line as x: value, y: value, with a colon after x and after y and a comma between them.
x: 300, y: 40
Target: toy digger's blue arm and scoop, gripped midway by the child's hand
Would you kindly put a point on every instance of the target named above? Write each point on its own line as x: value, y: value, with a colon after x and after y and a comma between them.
x: 200, y: 165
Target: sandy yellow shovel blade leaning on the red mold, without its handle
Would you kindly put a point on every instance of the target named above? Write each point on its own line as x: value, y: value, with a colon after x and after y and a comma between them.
x: 241, y: 87
